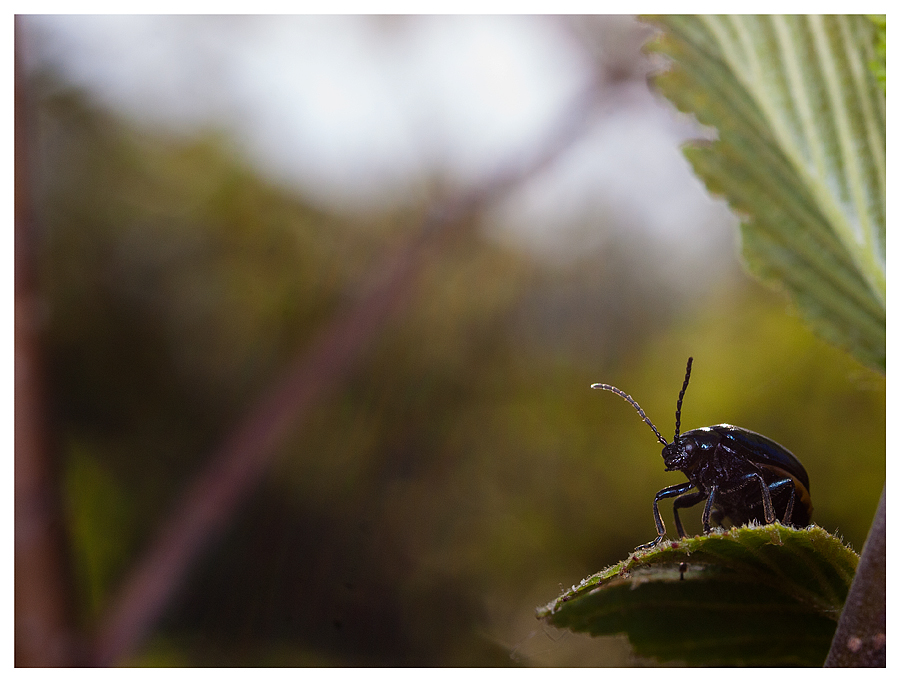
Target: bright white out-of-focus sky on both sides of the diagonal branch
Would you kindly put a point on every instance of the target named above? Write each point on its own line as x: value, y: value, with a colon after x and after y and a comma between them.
x: 355, y: 112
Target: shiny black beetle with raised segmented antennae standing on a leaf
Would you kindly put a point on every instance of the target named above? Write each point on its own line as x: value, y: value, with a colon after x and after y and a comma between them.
x: 742, y: 475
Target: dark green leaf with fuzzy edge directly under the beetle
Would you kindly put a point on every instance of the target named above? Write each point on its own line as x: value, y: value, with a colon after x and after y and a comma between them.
x: 754, y: 595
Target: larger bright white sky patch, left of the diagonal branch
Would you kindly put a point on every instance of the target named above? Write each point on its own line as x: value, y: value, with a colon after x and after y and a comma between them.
x: 347, y: 108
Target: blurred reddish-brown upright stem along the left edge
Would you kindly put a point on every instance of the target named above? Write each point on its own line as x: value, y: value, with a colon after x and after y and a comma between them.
x: 44, y: 632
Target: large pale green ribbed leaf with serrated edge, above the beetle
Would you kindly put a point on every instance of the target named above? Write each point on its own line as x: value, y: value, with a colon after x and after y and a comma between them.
x: 800, y: 156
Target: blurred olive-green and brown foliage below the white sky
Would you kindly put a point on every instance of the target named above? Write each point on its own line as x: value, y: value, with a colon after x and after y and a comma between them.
x: 421, y: 513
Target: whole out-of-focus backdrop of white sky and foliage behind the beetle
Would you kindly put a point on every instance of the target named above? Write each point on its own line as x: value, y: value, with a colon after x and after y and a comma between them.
x: 213, y: 196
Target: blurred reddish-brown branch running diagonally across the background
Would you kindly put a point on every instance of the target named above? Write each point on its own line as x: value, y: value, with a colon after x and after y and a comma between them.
x: 212, y: 499
